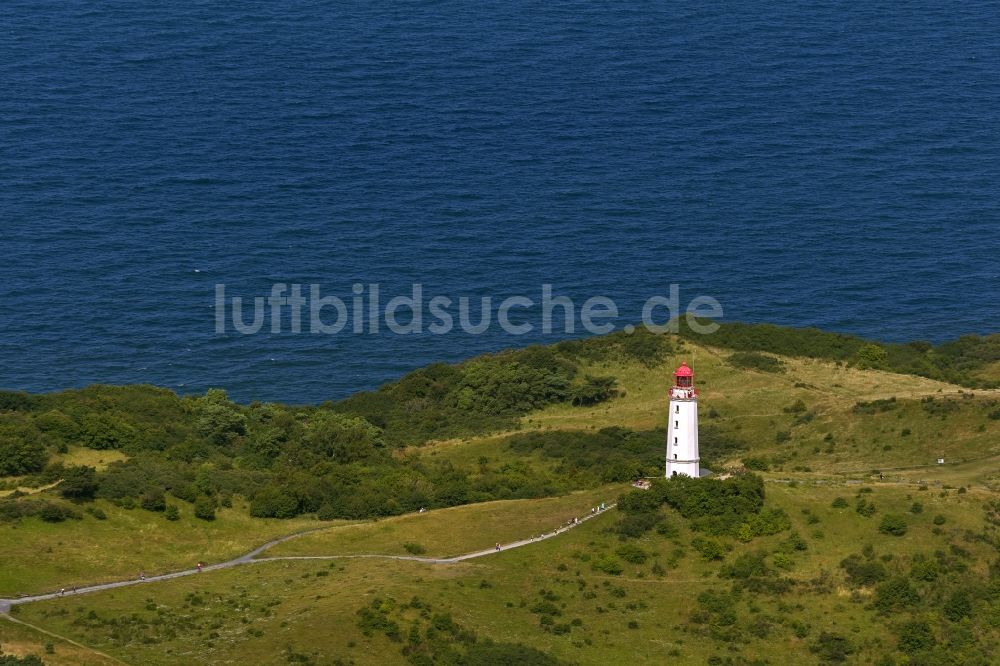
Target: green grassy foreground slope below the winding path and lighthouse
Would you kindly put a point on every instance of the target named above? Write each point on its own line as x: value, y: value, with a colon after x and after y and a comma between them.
x: 648, y: 612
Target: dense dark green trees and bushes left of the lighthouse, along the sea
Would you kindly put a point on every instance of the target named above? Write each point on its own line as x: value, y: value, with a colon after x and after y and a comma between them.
x: 333, y: 460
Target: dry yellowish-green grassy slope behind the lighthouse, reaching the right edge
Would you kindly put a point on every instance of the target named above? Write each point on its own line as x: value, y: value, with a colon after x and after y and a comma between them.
x: 811, y: 417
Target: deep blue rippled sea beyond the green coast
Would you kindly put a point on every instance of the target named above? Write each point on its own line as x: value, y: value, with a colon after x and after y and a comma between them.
x: 814, y: 165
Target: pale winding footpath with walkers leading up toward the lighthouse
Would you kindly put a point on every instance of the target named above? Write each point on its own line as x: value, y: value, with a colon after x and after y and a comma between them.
x: 251, y: 557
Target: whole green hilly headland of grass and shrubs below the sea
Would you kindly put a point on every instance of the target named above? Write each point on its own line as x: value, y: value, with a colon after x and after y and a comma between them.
x: 838, y: 564
